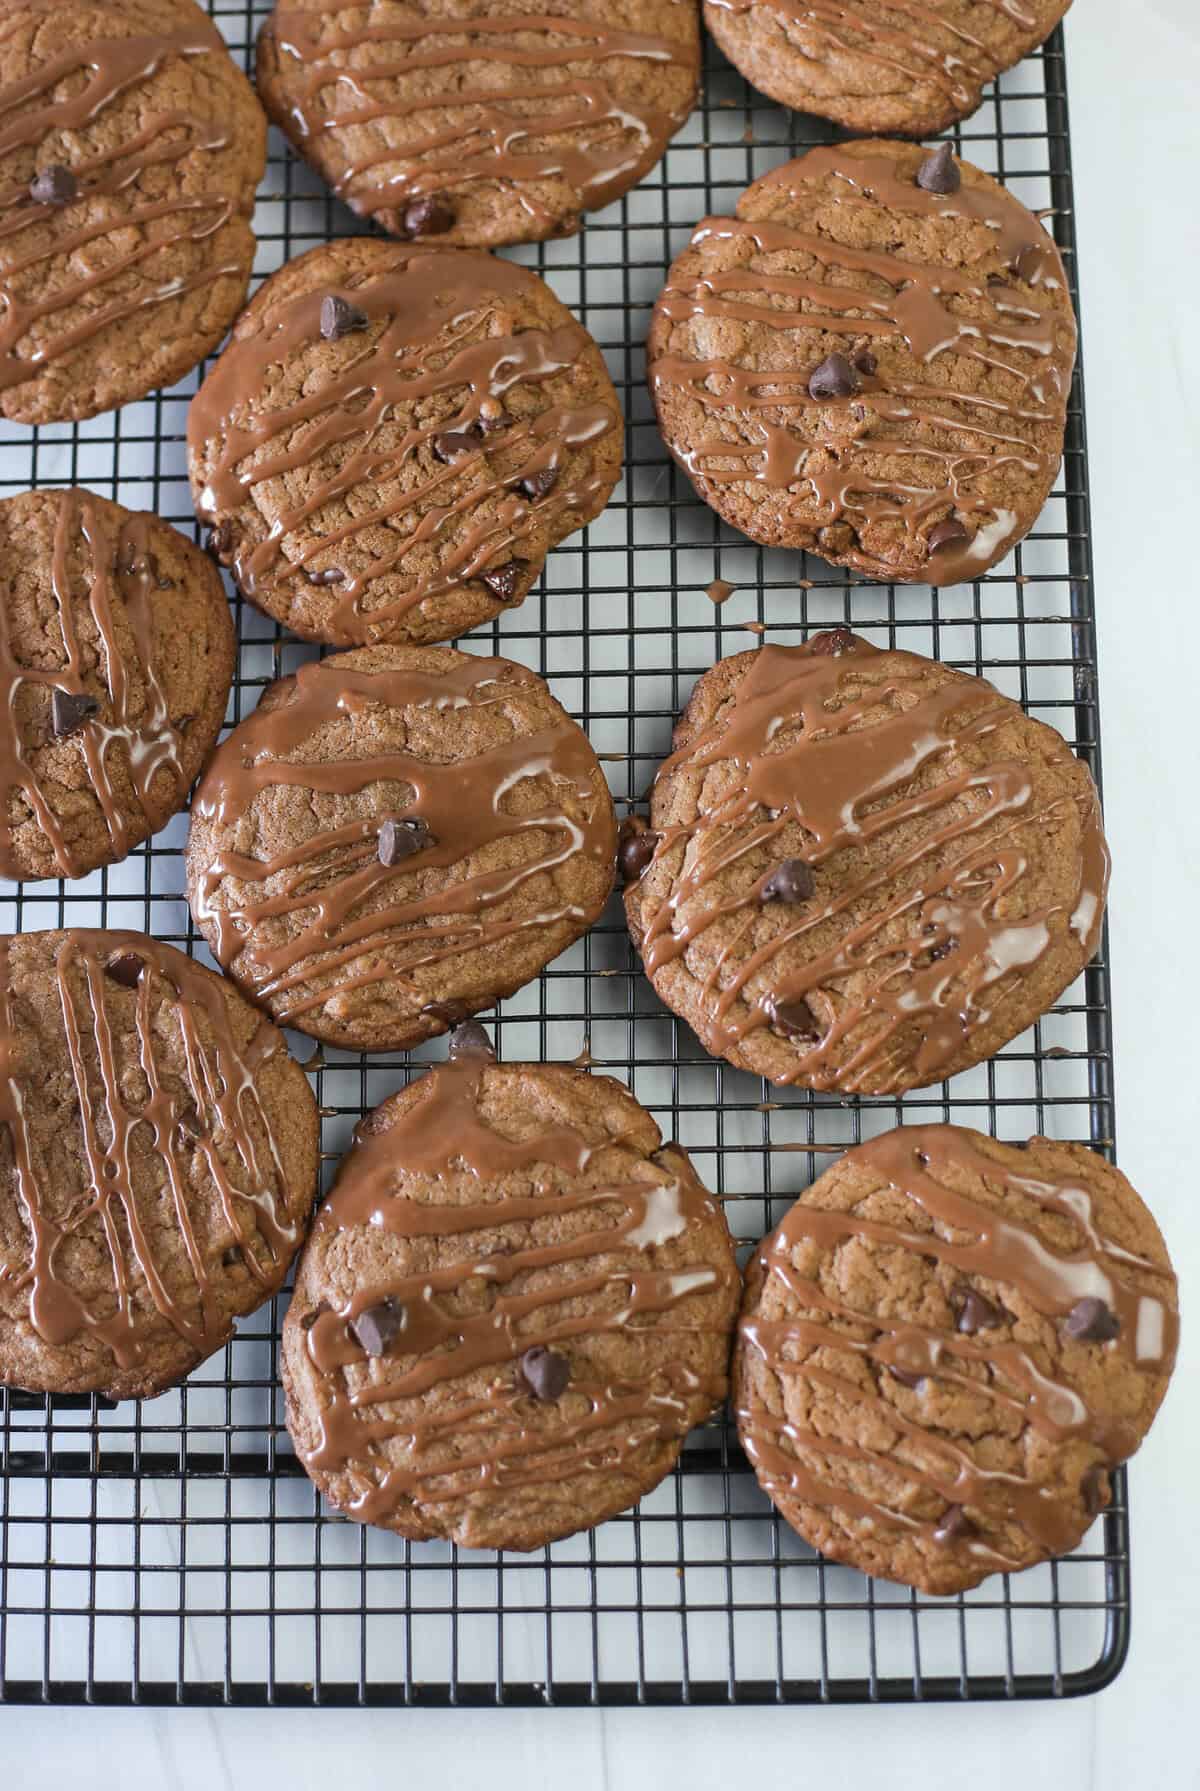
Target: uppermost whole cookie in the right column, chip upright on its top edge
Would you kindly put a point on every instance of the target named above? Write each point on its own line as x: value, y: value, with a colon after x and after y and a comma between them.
x: 871, y: 361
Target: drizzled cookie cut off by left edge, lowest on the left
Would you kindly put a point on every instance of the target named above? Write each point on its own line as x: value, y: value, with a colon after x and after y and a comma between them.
x: 159, y: 1163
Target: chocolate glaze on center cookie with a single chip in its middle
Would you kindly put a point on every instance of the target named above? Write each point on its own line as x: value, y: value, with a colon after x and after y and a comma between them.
x: 459, y: 807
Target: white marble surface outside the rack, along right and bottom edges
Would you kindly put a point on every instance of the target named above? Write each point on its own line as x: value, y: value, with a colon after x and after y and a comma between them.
x: 1136, y: 124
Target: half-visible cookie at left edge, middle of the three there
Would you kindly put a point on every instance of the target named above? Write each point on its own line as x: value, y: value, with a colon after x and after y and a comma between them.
x: 116, y: 667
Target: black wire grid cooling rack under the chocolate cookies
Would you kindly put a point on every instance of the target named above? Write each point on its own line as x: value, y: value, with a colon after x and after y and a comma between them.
x: 175, y: 1552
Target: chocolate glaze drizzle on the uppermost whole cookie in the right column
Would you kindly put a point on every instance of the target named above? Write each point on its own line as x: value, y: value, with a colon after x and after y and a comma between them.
x: 921, y: 309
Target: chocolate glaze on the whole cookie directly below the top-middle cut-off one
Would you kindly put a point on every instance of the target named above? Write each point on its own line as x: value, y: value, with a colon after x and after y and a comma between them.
x: 427, y: 338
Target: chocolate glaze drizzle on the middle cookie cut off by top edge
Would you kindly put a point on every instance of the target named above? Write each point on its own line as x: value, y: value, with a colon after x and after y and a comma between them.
x: 599, y: 162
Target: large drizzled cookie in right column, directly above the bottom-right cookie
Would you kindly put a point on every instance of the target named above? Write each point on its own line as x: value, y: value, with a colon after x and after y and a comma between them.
x: 864, y: 871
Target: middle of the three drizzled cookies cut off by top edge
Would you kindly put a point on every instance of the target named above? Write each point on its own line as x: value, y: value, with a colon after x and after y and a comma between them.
x: 476, y: 121
